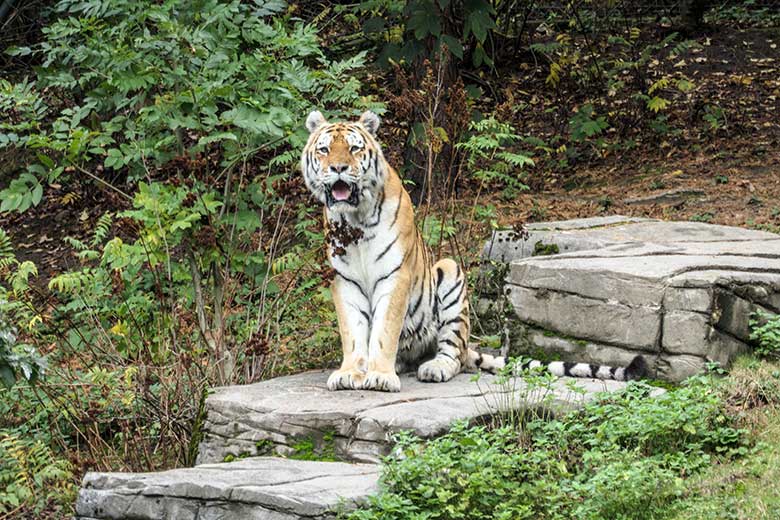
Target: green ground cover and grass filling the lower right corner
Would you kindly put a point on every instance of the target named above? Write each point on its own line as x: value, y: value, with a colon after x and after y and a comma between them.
x: 628, y: 455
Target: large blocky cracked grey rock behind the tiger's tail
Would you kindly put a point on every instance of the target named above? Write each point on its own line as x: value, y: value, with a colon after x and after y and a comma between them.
x: 680, y: 292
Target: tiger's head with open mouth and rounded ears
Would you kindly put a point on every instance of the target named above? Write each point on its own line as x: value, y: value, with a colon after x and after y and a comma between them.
x: 342, y: 163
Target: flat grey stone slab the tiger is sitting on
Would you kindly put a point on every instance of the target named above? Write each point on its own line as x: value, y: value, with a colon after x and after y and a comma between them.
x: 279, y: 414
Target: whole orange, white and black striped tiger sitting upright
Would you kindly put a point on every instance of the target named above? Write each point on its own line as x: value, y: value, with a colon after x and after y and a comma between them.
x: 397, y: 309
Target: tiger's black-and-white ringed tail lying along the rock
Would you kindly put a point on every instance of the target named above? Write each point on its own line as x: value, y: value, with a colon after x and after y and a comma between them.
x: 637, y: 369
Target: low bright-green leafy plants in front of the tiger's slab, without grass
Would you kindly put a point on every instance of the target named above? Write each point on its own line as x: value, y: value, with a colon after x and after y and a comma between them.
x: 625, y: 456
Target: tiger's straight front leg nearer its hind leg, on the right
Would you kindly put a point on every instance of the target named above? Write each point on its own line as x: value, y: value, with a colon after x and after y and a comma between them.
x: 390, y: 304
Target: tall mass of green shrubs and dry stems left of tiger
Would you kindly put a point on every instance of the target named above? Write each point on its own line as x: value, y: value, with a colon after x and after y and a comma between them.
x: 191, y: 113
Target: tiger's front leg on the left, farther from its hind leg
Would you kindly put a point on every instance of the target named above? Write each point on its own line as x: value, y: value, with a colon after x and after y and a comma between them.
x: 353, y: 311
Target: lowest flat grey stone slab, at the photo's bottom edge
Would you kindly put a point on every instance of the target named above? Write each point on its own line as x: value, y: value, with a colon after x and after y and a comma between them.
x: 259, y: 488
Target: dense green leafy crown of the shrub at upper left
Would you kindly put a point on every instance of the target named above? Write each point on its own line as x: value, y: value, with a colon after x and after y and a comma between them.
x: 152, y: 81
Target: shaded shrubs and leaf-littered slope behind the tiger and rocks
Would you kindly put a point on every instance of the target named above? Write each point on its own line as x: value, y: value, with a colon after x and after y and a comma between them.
x: 156, y: 239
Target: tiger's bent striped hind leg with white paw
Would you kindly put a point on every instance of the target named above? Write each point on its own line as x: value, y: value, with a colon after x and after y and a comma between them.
x: 452, y: 307
